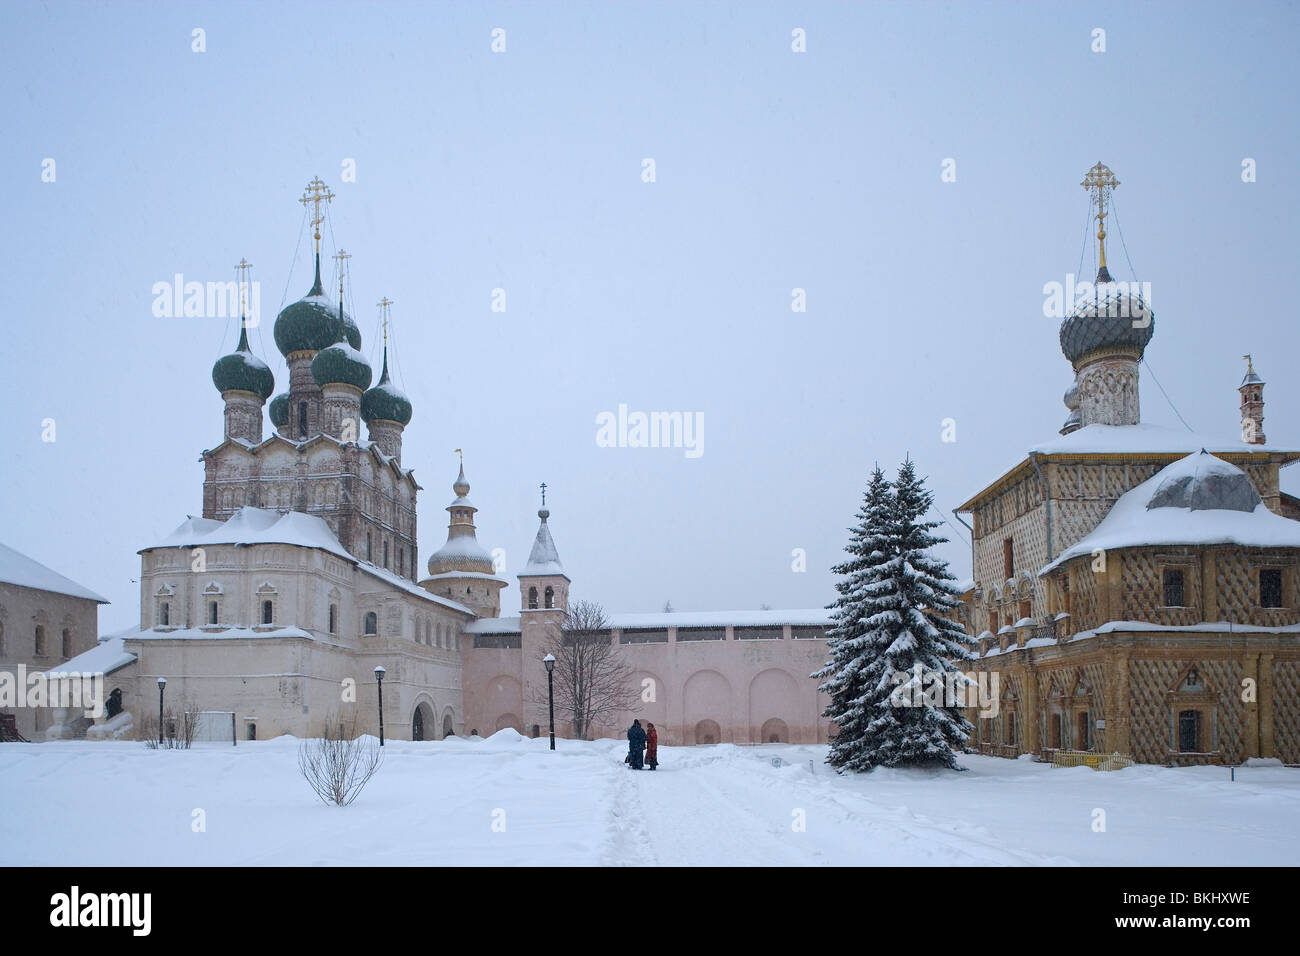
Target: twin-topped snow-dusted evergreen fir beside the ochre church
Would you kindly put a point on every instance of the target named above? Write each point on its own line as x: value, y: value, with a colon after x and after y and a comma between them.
x: 894, y: 656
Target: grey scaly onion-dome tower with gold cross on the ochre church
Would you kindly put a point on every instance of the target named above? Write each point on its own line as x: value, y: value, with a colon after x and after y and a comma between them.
x: 1106, y: 335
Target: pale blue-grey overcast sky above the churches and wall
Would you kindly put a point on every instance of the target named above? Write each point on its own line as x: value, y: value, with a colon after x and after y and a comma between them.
x: 523, y: 171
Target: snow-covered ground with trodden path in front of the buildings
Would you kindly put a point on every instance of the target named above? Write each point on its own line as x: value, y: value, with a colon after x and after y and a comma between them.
x: 436, y: 803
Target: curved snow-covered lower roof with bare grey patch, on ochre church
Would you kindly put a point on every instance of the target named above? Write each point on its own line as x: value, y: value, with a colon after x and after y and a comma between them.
x: 1199, y: 500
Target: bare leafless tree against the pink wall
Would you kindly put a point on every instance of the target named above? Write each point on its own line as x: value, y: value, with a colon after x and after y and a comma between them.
x: 592, y: 682
